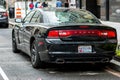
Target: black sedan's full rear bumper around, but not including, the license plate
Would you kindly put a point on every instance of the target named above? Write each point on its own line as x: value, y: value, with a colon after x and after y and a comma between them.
x: 68, y: 52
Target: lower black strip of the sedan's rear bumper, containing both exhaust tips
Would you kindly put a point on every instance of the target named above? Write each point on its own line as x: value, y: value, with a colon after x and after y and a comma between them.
x: 79, y: 58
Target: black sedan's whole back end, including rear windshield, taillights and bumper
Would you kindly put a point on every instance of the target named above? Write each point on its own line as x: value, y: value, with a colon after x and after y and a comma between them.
x: 76, y: 36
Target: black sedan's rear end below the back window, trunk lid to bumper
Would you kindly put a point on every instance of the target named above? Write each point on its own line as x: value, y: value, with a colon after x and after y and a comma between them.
x: 79, y: 44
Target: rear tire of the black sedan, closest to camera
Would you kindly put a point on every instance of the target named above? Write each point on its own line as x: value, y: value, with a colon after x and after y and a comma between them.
x: 35, y: 58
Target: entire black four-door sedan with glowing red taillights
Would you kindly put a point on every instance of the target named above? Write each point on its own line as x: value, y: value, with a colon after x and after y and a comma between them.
x: 63, y: 35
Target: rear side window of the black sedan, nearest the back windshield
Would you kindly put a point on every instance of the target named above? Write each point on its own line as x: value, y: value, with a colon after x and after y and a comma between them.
x: 37, y: 17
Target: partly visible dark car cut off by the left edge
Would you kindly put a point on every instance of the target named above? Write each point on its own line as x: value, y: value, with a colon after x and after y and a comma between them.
x: 3, y: 17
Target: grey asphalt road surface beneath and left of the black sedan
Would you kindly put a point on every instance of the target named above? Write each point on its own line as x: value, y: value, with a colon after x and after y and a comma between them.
x: 17, y: 66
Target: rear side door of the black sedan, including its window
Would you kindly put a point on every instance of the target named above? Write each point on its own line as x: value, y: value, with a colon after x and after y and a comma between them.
x: 30, y: 28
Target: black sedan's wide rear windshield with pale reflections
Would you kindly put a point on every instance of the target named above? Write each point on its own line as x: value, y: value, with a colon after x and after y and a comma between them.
x: 70, y: 16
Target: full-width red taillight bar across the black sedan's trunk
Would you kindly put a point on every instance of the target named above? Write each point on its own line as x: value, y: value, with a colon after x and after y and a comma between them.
x: 90, y: 33
